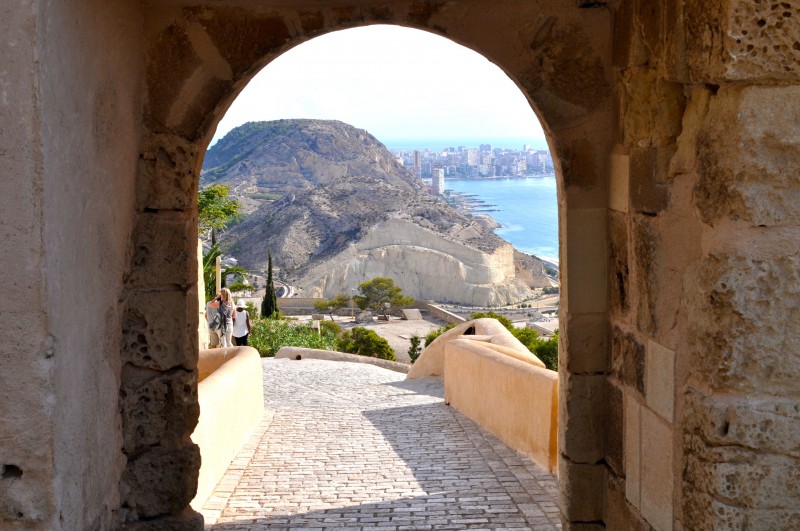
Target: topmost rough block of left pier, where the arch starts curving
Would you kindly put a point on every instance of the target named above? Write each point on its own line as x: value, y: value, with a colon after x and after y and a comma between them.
x: 167, y: 179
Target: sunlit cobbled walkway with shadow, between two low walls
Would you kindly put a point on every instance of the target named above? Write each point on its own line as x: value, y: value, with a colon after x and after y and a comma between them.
x: 353, y: 446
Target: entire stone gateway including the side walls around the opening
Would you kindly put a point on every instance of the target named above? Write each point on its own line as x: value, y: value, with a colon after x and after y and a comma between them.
x: 671, y: 130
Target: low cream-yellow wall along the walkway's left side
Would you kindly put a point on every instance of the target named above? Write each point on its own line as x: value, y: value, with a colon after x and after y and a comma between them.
x: 231, y: 396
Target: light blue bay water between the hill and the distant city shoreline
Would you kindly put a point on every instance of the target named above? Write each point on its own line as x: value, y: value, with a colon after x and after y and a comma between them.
x: 525, y: 207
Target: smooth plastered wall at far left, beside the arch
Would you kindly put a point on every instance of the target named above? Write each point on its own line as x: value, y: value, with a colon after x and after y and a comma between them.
x: 70, y: 120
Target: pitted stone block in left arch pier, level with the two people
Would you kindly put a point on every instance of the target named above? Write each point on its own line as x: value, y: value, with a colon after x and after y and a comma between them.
x: 155, y: 341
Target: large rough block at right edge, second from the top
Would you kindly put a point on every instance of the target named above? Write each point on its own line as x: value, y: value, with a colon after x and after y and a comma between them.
x: 747, y: 156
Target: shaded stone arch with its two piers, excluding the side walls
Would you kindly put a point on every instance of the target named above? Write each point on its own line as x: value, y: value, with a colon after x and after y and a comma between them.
x: 198, y: 61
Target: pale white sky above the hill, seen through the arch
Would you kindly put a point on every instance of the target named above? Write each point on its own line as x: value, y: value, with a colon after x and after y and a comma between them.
x: 404, y: 86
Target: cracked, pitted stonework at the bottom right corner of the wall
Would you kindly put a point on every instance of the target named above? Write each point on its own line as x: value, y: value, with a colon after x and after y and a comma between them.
x: 743, y: 463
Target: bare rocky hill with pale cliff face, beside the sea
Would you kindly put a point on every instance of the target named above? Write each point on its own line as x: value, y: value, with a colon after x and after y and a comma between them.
x: 335, y: 208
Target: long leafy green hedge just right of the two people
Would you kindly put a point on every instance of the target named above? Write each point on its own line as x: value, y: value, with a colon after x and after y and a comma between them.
x: 269, y: 335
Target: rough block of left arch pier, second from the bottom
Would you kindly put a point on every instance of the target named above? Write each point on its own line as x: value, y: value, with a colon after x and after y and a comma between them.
x: 157, y: 408
